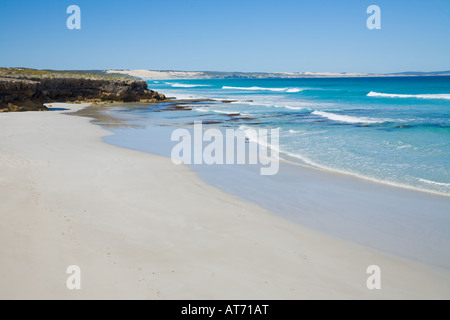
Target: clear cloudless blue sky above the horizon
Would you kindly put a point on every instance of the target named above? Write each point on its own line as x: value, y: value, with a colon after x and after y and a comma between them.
x: 227, y: 35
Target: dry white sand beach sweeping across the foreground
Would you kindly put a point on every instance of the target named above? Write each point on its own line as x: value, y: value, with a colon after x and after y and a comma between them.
x: 140, y: 227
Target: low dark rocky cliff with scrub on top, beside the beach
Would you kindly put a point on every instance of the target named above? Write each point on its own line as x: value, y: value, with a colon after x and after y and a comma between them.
x: 28, y: 92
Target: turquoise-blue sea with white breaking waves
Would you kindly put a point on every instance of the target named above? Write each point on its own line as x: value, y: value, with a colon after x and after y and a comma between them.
x: 394, y: 130
